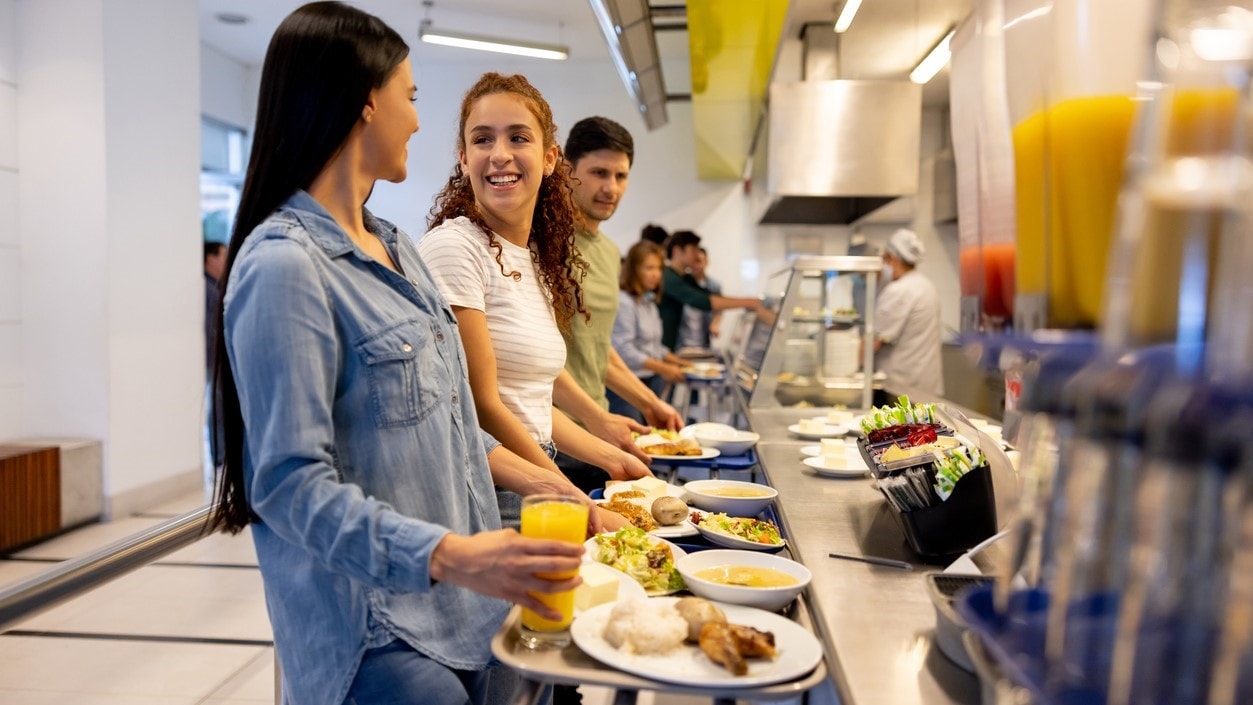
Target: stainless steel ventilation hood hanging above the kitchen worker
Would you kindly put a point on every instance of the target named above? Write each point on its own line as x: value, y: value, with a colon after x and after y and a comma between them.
x: 840, y: 150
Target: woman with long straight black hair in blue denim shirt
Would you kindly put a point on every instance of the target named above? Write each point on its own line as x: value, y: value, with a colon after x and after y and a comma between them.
x: 351, y: 446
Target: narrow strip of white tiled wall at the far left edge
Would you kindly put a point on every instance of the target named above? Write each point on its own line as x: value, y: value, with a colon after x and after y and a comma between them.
x: 11, y: 286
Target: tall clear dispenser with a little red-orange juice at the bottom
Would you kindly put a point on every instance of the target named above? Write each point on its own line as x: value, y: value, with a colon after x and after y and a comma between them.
x: 985, y: 171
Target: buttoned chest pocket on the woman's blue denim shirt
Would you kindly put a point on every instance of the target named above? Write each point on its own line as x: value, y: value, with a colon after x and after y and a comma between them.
x: 407, y: 378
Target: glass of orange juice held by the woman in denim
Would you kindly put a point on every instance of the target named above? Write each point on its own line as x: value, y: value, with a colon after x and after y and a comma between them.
x: 561, y: 519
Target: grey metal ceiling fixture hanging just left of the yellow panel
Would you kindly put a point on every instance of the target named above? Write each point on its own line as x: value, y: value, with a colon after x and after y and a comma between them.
x: 628, y: 29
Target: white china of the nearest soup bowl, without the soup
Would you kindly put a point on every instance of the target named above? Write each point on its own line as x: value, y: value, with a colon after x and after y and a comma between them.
x: 762, y: 598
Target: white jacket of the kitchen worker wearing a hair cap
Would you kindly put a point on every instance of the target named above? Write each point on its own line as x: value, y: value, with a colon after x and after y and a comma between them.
x: 908, y: 322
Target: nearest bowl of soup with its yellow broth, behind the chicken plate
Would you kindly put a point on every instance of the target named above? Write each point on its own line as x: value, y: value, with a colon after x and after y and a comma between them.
x: 766, y: 582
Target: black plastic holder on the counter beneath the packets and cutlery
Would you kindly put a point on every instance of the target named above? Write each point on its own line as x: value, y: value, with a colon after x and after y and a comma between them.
x: 957, y: 525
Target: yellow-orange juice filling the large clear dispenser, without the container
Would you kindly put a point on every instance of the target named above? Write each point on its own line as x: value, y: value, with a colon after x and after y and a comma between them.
x: 1068, y: 163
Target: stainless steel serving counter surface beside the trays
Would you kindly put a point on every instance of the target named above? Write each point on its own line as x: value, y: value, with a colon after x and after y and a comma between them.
x: 875, y: 622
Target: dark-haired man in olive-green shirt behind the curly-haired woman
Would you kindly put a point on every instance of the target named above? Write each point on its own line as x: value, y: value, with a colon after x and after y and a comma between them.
x: 601, y: 153
